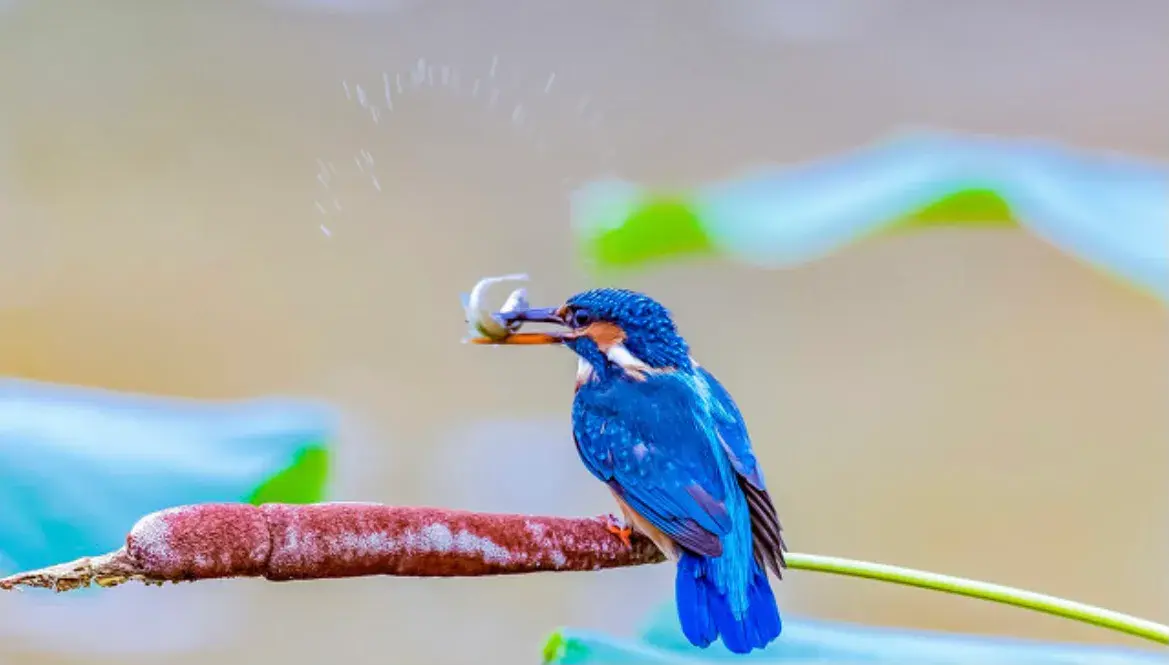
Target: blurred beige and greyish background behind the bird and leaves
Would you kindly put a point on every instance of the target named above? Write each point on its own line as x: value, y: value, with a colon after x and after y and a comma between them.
x: 967, y: 403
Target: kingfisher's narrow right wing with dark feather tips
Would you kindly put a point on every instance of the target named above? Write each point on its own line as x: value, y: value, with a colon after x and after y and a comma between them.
x: 765, y: 523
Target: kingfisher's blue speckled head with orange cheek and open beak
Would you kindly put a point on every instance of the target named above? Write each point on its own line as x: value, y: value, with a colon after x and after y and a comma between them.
x: 612, y: 330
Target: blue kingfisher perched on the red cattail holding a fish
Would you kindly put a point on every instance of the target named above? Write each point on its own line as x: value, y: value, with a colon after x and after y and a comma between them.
x: 673, y: 447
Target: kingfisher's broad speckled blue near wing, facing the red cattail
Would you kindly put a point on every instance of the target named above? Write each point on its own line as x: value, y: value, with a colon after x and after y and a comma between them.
x: 648, y: 444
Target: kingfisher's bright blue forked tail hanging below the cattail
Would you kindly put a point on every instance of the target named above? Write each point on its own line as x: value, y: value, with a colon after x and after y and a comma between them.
x: 705, y: 607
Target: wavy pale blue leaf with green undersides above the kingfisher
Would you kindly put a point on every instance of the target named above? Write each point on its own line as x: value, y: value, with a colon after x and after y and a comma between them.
x: 1109, y: 211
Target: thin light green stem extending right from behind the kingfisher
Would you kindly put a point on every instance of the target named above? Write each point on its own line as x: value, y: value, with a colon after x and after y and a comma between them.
x: 984, y: 591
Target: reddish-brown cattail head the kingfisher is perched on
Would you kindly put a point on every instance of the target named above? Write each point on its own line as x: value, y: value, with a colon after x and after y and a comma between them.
x: 283, y: 542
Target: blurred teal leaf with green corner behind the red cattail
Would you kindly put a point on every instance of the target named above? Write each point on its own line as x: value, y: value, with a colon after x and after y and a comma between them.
x: 79, y: 467
